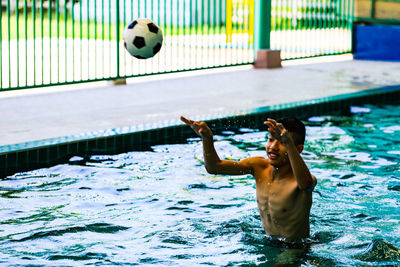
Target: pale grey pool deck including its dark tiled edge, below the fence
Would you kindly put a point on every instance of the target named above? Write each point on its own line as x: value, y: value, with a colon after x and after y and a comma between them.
x: 64, y: 116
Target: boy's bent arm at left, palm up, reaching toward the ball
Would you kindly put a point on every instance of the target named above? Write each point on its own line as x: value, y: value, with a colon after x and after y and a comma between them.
x: 212, y: 161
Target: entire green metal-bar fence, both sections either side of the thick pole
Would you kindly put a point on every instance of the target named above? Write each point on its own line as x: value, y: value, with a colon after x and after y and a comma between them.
x: 68, y: 41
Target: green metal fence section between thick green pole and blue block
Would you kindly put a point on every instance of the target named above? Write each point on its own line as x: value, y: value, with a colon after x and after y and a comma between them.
x: 303, y: 28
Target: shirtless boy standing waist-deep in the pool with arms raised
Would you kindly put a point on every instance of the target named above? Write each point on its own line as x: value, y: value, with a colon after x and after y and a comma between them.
x: 284, y: 184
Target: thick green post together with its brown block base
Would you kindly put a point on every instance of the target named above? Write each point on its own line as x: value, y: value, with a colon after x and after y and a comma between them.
x: 265, y: 57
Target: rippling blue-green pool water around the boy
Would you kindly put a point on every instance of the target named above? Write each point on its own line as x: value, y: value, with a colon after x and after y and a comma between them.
x: 160, y: 207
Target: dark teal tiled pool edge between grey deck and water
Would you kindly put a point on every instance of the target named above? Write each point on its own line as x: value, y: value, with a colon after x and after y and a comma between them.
x: 44, y: 153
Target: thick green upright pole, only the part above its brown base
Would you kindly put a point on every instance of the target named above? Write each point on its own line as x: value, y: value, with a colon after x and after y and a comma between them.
x: 262, y: 24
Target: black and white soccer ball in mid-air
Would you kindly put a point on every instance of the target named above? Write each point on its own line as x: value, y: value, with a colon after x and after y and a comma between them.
x: 142, y: 38
